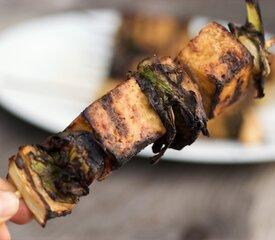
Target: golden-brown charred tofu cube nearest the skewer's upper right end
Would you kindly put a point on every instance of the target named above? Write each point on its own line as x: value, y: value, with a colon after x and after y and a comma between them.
x: 219, y: 64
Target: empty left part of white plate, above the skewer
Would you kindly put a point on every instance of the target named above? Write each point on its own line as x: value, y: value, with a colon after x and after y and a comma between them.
x: 51, y: 68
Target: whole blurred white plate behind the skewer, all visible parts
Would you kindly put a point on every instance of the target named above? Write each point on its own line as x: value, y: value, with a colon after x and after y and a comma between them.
x: 51, y: 69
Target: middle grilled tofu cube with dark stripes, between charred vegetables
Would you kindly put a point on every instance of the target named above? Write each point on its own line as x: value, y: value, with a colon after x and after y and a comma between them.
x: 122, y: 120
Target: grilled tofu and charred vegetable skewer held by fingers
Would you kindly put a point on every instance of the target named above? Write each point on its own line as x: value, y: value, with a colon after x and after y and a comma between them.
x: 165, y: 102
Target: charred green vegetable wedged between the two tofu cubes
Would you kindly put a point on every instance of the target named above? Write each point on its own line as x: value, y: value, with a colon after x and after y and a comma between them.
x: 180, y: 109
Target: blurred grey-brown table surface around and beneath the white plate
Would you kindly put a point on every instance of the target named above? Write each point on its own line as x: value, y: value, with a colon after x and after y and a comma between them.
x: 167, y: 201
